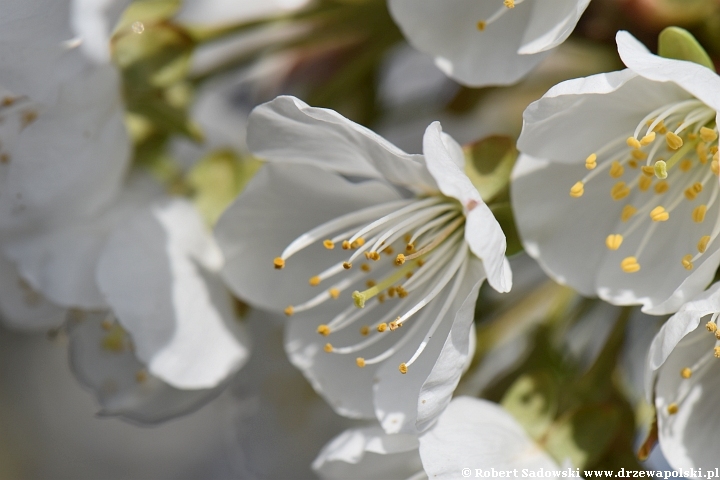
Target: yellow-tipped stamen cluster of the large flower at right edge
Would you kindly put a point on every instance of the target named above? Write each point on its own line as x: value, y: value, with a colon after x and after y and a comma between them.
x: 660, y: 176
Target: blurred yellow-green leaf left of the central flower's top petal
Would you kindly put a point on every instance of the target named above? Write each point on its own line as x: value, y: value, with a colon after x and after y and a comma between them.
x: 217, y: 179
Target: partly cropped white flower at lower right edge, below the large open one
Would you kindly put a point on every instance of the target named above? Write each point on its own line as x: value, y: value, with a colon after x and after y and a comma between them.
x: 682, y: 375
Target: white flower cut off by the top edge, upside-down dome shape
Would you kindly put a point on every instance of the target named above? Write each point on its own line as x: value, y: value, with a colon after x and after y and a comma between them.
x: 487, y: 42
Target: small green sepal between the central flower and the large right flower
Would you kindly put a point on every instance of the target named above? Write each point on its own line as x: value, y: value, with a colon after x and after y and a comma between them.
x: 488, y: 164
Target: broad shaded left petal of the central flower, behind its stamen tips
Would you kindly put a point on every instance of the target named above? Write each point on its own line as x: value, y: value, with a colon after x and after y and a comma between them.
x: 281, y: 203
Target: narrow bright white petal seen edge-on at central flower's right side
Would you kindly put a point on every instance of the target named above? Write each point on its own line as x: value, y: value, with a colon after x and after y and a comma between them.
x: 482, y: 232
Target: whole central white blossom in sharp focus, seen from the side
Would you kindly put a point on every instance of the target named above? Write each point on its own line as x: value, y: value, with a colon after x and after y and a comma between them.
x: 352, y: 218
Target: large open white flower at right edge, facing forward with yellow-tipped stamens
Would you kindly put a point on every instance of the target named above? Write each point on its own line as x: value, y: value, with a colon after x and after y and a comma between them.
x: 637, y: 152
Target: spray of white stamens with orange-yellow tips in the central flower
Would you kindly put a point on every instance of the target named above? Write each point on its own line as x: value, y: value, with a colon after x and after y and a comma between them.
x: 429, y: 233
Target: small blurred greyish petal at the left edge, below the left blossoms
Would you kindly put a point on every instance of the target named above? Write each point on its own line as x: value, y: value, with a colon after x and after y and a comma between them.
x: 22, y: 307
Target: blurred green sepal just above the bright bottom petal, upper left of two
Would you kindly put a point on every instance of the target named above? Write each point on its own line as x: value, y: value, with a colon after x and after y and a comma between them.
x: 532, y: 400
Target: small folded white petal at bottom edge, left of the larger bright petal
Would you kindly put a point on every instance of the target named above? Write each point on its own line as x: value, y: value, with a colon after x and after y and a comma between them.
x: 368, y: 453
